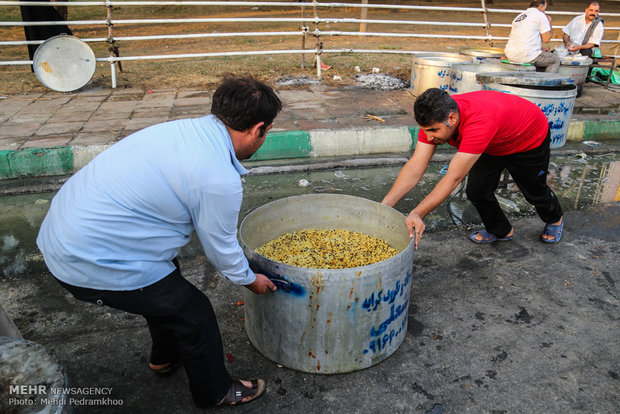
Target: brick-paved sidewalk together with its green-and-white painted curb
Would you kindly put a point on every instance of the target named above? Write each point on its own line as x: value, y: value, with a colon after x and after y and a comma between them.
x: 84, y: 123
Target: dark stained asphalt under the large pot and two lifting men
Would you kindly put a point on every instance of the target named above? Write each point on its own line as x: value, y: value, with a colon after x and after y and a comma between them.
x: 514, y: 327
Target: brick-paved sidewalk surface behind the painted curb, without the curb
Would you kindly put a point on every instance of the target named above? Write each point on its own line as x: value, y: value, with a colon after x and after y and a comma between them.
x: 103, y: 116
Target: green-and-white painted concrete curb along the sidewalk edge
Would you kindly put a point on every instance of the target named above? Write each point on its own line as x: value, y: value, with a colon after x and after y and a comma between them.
x: 64, y: 160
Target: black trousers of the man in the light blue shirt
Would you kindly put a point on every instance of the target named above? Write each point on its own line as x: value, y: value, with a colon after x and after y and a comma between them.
x: 183, y: 327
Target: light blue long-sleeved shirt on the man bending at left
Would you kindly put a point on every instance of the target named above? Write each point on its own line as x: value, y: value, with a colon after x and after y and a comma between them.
x: 117, y: 223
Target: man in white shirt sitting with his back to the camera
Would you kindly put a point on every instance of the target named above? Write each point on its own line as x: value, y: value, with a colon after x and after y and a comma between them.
x: 529, y: 30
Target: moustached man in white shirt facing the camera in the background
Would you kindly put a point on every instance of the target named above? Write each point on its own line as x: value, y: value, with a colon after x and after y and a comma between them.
x: 585, y: 31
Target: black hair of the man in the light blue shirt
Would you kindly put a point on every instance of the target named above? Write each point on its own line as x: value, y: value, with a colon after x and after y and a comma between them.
x: 242, y: 102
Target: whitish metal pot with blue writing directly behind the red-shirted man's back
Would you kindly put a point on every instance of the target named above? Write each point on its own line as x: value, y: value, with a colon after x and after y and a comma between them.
x: 555, y: 96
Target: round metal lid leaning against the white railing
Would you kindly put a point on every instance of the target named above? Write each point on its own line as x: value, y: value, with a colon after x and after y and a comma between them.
x: 64, y: 63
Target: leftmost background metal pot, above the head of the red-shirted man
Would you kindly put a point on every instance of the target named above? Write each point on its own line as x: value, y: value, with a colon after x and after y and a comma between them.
x: 433, y: 70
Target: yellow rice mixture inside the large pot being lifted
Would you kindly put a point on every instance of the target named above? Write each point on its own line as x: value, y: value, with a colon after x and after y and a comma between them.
x: 327, y: 249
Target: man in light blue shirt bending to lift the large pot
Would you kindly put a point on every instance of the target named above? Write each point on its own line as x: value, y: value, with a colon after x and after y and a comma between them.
x: 112, y: 231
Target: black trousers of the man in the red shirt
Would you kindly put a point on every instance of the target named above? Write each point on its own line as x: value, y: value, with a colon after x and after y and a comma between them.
x: 529, y: 171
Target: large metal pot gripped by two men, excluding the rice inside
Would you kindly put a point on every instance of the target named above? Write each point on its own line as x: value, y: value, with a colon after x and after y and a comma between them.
x: 328, y: 321
